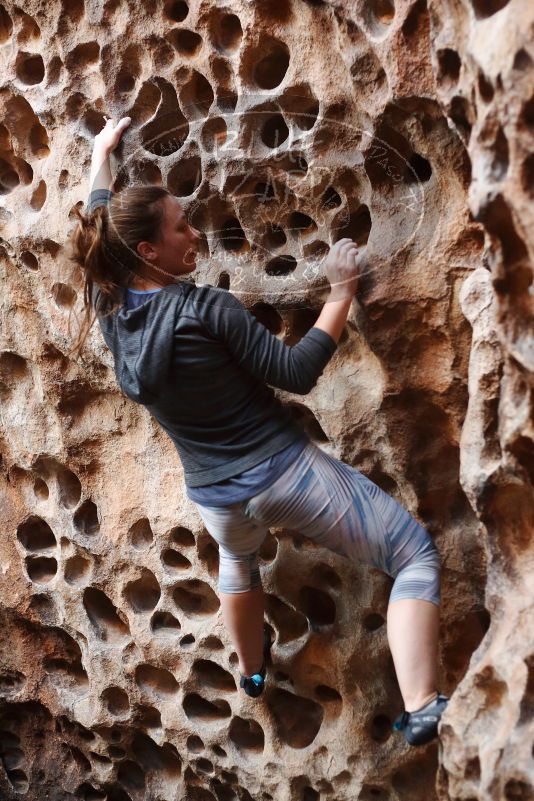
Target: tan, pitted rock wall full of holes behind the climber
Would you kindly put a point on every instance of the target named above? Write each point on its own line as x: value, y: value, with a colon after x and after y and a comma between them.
x: 281, y: 125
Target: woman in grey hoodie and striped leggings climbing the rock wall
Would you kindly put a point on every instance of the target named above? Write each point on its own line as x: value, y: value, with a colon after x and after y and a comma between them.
x: 204, y: 367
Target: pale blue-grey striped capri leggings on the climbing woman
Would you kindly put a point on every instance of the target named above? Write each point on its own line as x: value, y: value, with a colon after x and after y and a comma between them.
x: 335, y: 505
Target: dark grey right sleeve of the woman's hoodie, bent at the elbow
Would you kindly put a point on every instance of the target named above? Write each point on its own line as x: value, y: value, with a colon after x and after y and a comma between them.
x: 292, y: 368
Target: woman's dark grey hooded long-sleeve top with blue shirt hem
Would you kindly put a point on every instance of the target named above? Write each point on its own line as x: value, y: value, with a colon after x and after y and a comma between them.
x: 201, y: 363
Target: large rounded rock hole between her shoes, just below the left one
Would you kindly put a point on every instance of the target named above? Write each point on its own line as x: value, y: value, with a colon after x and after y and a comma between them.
x: 297, y: 719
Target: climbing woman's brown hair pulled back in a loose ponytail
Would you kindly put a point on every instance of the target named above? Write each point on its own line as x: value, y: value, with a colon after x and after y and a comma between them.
x: 104, y: 247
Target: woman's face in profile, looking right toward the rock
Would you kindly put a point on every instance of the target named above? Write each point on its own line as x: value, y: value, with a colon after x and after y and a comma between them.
x: 176, y: 248
